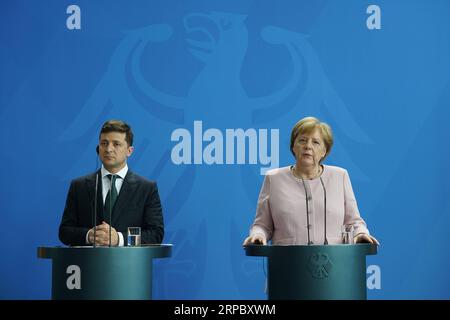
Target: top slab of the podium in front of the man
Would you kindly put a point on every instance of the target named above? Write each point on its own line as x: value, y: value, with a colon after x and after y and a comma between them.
x: 151, y: 250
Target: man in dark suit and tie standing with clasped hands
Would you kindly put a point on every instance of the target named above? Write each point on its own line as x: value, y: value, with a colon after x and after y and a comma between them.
x: 124, y: 199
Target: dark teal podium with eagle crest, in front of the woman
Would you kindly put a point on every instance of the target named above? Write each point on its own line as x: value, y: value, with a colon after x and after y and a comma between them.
x: 315, y: 272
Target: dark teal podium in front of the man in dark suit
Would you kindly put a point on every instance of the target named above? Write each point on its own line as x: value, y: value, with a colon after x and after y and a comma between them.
x: 104, y: 273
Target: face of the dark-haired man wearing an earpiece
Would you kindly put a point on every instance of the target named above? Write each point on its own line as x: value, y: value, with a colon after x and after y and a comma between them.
x: 114, y: 151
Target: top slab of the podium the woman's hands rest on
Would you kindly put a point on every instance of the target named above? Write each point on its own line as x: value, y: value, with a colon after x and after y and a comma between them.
x: 272, y: 250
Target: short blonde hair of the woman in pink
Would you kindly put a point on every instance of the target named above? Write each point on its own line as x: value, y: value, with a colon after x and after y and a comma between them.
x: 308, y: 125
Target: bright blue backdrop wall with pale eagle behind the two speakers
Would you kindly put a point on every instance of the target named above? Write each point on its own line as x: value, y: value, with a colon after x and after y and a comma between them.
x: 254, y: 65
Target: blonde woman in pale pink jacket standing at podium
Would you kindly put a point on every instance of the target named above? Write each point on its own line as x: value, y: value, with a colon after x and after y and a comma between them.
x: 307, y: 203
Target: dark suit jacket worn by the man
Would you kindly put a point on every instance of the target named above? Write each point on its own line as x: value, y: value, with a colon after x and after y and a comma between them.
x: 138, y: 205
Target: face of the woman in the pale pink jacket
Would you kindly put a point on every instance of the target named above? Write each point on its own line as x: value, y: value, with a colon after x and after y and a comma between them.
x: 309, y: 149
